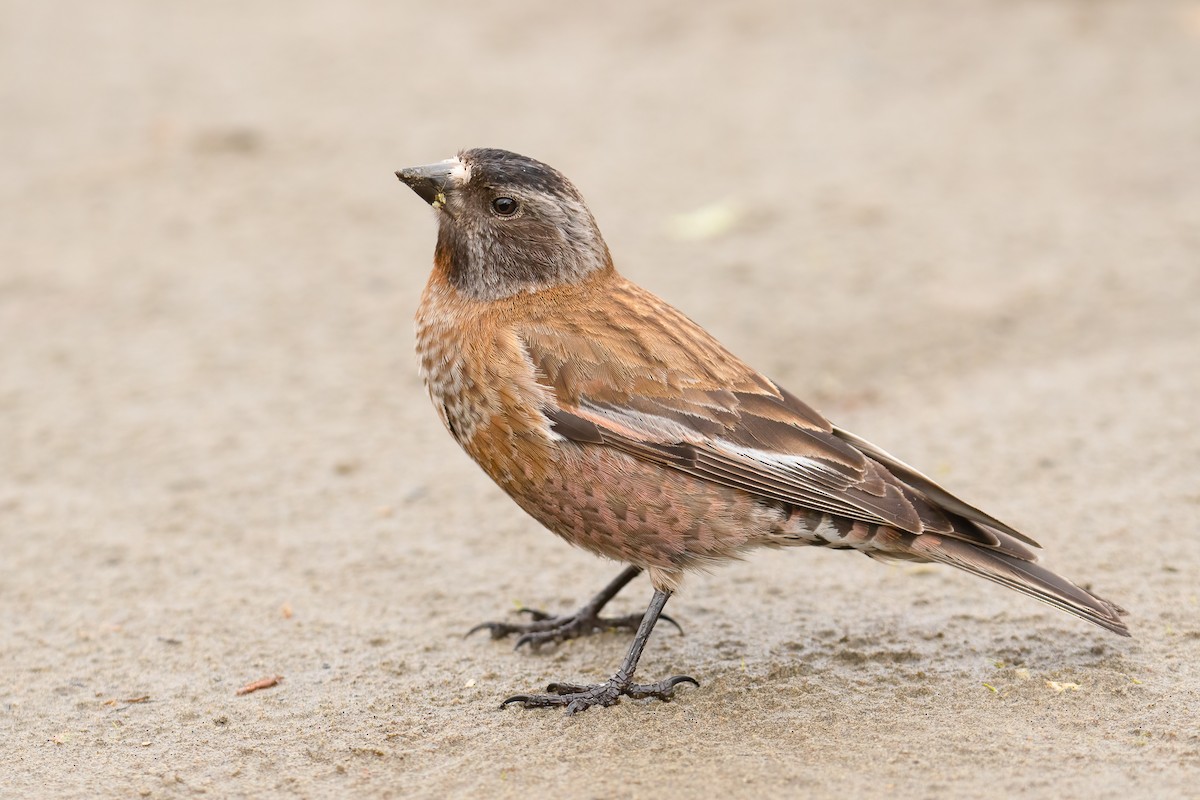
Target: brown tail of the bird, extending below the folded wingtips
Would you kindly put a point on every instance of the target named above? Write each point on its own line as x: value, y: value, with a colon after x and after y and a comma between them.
x: 1023, y: 576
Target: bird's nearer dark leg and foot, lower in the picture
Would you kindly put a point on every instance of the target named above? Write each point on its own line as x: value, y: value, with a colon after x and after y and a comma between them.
x: 580, y: 699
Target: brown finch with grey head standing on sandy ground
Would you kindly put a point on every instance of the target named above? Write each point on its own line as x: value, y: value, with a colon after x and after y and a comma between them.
x: 628, y: 430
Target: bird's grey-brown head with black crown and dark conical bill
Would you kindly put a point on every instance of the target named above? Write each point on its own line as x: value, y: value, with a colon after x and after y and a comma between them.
x: 508, y: 225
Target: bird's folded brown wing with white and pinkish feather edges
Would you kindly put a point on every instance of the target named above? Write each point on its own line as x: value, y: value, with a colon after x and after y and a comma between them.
x: 725, y: 423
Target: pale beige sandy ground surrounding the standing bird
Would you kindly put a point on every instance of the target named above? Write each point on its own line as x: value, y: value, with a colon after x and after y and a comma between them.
x: 969, y: 232
